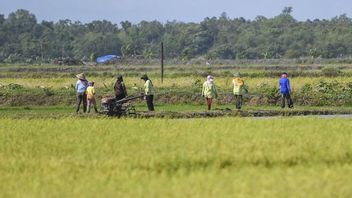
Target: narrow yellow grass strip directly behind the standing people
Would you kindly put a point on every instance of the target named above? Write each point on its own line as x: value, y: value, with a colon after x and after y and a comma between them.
x: 179, y: 82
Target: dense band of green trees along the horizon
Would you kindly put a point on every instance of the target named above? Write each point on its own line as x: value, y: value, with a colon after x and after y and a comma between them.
x: 24, y: 39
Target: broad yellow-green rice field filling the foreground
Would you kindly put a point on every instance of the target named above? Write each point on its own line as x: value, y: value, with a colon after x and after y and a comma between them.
x: 222, y: 157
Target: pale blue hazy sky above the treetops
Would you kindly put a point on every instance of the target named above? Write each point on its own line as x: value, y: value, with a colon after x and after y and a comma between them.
x: 168, y: 10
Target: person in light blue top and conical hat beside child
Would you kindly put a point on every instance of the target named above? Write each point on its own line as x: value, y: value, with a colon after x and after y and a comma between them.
x: 81, y: 86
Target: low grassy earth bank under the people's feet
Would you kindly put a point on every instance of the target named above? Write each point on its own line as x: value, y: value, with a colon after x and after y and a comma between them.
x: 54, y: 113
